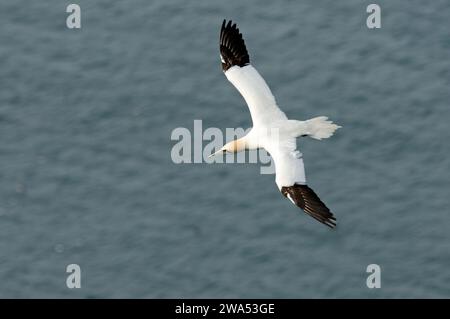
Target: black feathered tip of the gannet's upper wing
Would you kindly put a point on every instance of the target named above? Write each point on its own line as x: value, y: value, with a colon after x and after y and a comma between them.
x: 232, y: 46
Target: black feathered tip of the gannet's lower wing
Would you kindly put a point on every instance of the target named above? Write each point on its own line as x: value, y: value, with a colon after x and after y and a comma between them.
x: 305, y: 198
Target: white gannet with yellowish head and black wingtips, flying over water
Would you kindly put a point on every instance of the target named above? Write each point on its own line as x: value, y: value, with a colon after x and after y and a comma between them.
x: 272, y: 130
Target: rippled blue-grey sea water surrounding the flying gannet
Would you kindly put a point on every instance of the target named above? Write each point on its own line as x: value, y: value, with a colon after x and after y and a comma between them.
x: 86, y: 175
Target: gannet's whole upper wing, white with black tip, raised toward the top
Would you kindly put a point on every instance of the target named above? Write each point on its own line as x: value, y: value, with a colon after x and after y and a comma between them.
x: 239, y: 71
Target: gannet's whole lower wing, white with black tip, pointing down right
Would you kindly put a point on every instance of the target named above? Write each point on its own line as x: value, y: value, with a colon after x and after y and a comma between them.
x: 290, y: 178
